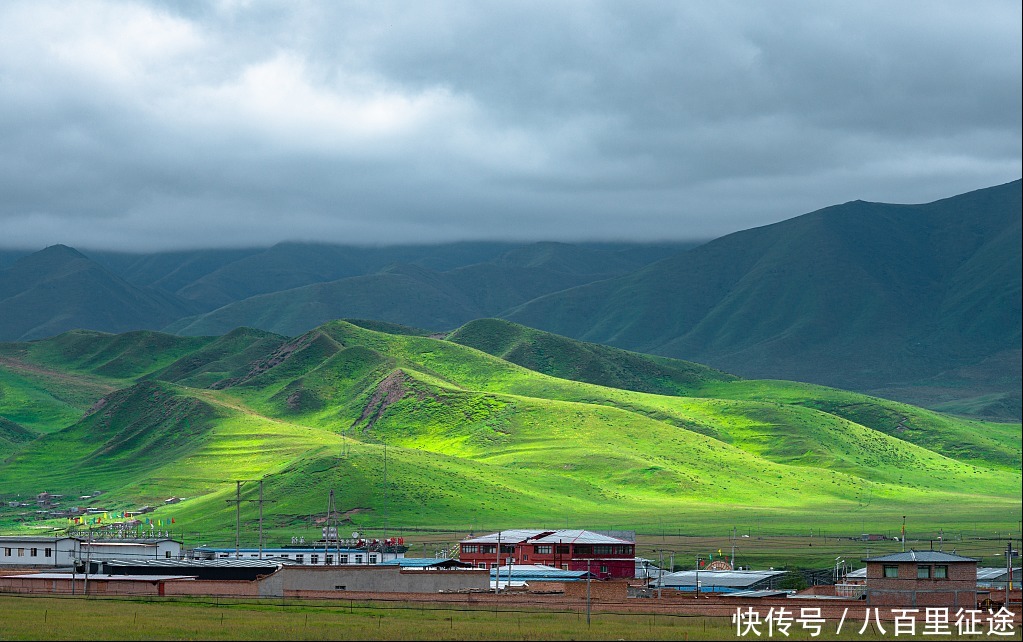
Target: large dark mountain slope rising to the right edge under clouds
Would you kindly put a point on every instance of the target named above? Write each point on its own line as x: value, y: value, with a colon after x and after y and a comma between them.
x: 864, y: 296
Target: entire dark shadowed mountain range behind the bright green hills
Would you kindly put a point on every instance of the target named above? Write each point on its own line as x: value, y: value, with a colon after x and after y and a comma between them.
x: 919, y: 303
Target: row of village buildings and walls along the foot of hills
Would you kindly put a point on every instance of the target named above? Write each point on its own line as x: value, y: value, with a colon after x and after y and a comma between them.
x: 560, y: 569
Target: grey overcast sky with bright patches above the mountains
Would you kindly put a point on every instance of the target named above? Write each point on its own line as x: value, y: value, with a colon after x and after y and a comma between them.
x: 156, y: 126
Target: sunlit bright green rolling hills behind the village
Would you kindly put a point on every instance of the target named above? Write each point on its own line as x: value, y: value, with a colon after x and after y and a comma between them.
x: 467, y: 437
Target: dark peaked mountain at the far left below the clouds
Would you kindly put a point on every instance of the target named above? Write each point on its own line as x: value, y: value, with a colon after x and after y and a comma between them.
x: 59, y: 289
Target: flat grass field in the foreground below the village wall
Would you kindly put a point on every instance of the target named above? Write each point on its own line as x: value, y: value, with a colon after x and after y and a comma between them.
x: 211, y: 619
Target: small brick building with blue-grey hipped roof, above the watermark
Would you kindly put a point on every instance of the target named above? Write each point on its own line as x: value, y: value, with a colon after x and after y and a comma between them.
x: 922, y: 579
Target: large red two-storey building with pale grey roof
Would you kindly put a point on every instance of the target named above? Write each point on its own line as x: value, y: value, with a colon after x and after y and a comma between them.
x: 603, y: 556
